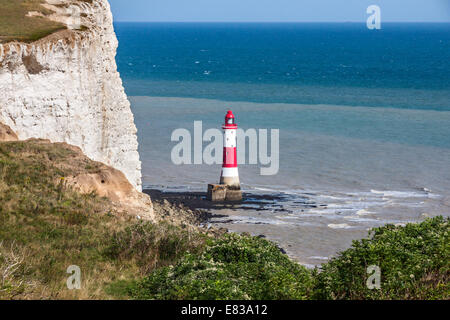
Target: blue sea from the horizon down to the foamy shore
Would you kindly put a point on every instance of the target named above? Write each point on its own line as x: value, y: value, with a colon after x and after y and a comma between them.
x: 364, y: 120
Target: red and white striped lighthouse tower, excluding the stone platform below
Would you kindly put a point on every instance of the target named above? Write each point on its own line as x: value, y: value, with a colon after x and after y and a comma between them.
x: 230, y: 174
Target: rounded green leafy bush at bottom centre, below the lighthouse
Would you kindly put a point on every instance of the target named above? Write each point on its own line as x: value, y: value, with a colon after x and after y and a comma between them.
x: 233, y: 267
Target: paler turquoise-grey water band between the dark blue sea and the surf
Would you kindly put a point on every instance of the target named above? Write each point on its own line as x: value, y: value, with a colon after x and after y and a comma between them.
x: 321, y: 147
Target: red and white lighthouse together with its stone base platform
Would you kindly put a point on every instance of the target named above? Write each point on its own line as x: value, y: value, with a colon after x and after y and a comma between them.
x: 229, y: 187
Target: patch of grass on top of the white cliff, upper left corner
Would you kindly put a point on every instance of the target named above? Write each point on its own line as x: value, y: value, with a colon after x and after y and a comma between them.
x: 15, y: 25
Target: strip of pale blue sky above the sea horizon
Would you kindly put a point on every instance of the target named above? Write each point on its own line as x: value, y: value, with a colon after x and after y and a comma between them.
x: 278, y: 10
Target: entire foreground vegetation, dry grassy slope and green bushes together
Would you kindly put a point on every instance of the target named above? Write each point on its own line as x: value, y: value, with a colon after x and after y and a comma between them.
x: 46, y: 227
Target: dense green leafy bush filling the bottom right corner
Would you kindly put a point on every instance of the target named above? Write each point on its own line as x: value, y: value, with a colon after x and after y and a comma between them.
x: 413, y: 260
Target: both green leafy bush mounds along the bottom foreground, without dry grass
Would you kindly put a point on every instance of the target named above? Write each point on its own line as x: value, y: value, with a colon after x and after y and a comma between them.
x: 414, y: 262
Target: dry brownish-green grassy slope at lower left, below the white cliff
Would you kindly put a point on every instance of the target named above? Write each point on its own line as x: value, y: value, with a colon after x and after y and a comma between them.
x: 46, y: 227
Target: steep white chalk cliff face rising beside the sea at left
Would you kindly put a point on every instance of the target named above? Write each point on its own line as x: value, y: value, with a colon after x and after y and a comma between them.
x: 66, y: 88
